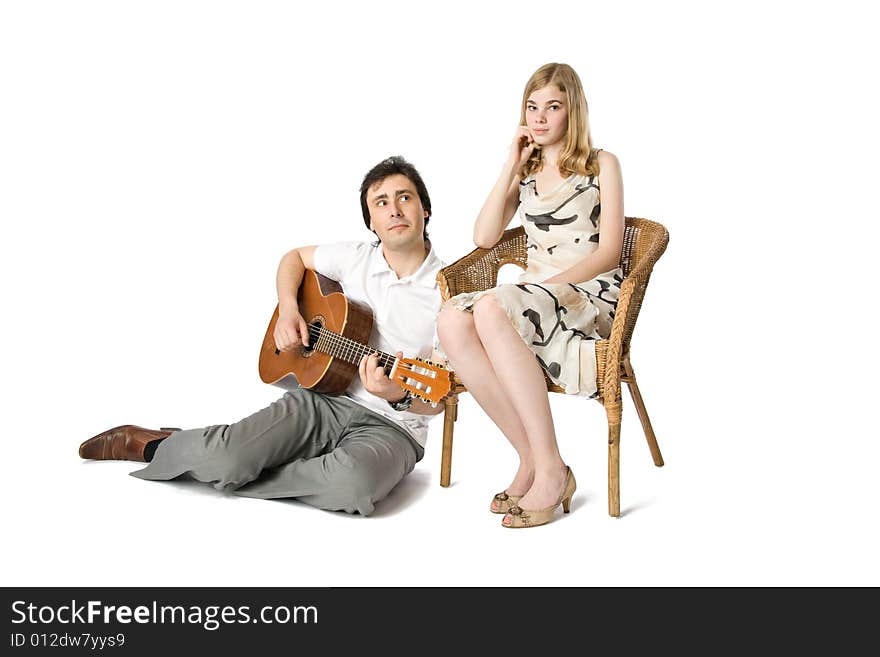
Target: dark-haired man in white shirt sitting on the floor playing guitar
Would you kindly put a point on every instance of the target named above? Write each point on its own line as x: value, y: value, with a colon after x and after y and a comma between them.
x: 337, y: 453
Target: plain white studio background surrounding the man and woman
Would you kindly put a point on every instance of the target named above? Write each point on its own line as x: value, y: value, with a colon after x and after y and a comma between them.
x: 158, y: 158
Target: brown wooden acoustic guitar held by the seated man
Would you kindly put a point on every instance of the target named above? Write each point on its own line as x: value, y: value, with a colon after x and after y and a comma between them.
x: 339, y: 329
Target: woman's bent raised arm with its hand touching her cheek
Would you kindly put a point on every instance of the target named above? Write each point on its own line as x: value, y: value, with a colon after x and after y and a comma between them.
x: 500, y: 206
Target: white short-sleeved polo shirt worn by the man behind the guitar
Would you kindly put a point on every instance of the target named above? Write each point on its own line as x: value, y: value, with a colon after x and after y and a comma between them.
x: 404, y: 313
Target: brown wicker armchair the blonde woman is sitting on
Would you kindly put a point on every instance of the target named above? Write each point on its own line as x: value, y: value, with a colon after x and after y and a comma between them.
x: 643, y: 243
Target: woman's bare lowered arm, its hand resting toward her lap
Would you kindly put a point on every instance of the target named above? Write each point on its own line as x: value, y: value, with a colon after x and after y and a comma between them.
x: 611, y: 226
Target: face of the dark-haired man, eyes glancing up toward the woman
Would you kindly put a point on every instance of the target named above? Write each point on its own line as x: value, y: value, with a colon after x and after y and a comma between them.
x: 396, y: 212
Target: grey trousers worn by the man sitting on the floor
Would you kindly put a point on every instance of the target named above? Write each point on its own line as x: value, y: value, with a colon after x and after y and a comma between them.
x: 329, y: 452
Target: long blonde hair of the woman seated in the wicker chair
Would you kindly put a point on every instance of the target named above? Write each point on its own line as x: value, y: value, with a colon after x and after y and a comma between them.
x: 577, y: 154
